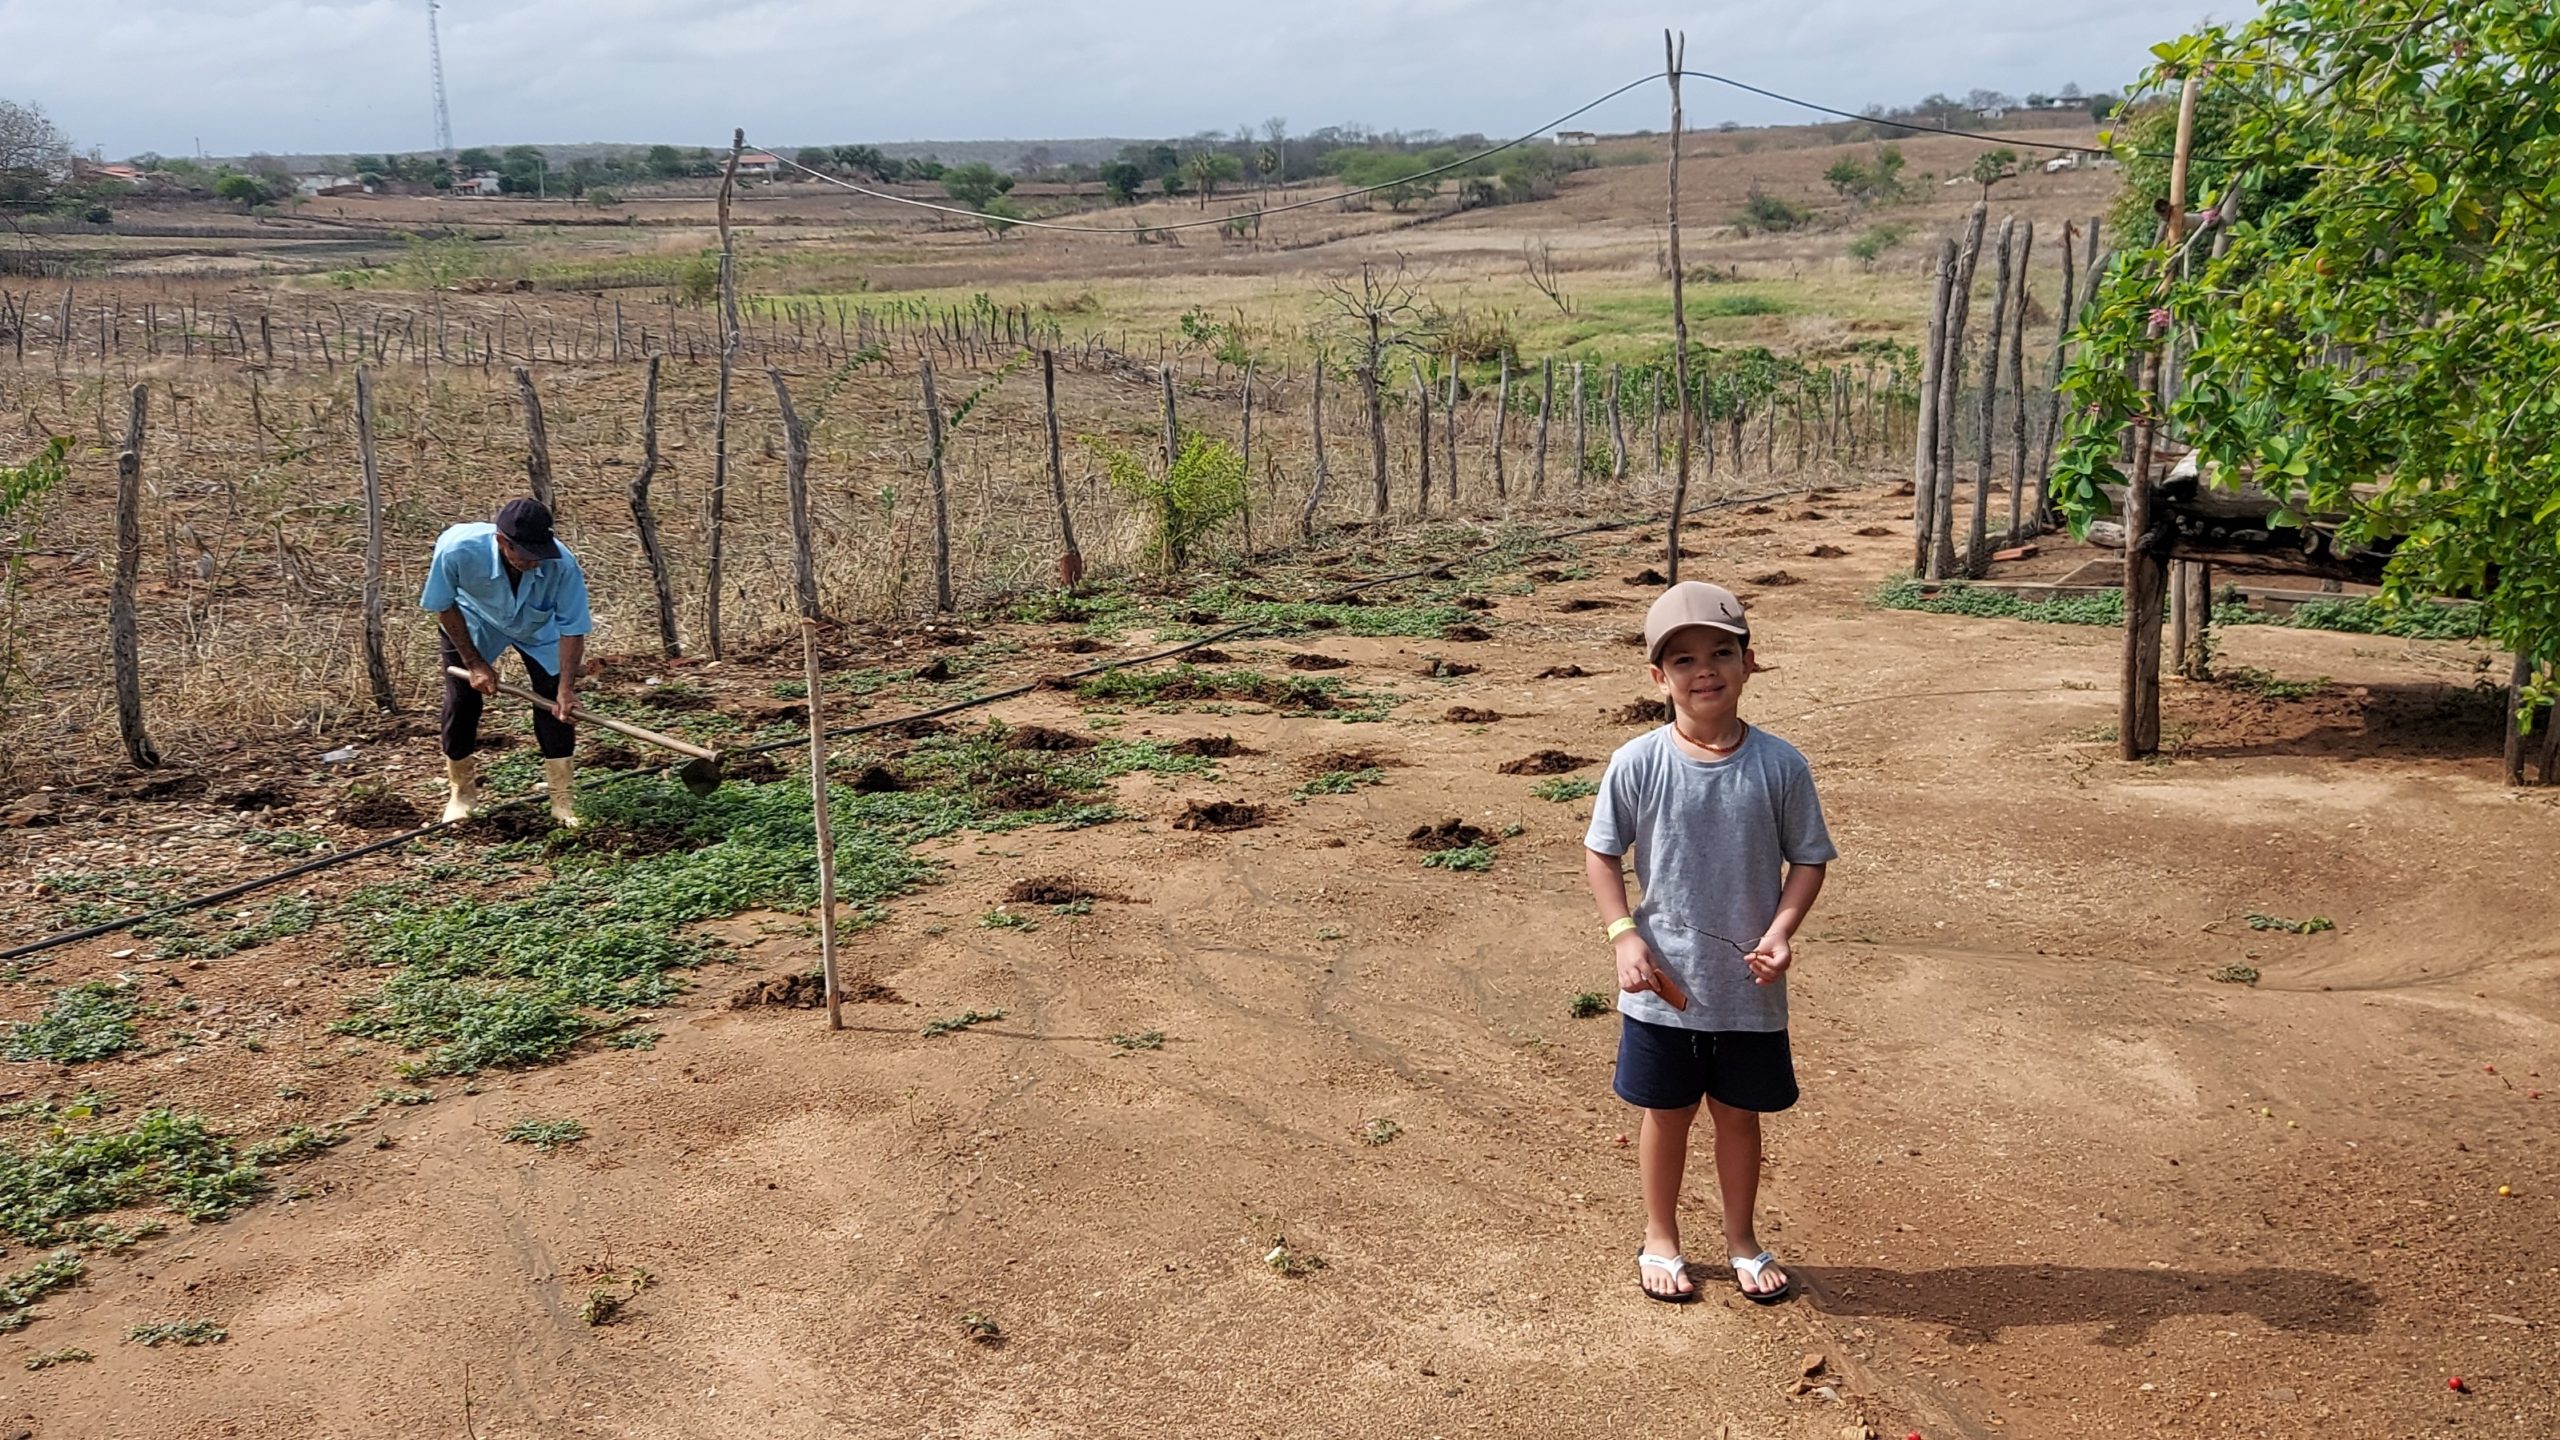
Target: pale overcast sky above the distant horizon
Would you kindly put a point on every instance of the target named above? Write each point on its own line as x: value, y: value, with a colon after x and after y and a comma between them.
x: 352, y: 76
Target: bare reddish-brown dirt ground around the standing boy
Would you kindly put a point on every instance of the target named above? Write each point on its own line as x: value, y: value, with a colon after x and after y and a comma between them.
x: 2047, y: 1177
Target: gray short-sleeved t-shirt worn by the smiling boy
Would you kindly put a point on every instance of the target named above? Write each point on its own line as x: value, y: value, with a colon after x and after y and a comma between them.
x: 1711, y: 847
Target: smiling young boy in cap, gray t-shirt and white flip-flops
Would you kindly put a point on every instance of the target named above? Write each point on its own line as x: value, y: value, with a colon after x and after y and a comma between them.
x: 1729, y: 849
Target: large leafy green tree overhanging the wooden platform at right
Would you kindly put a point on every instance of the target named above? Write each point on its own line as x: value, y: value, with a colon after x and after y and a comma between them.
x: 2377, y: 332
